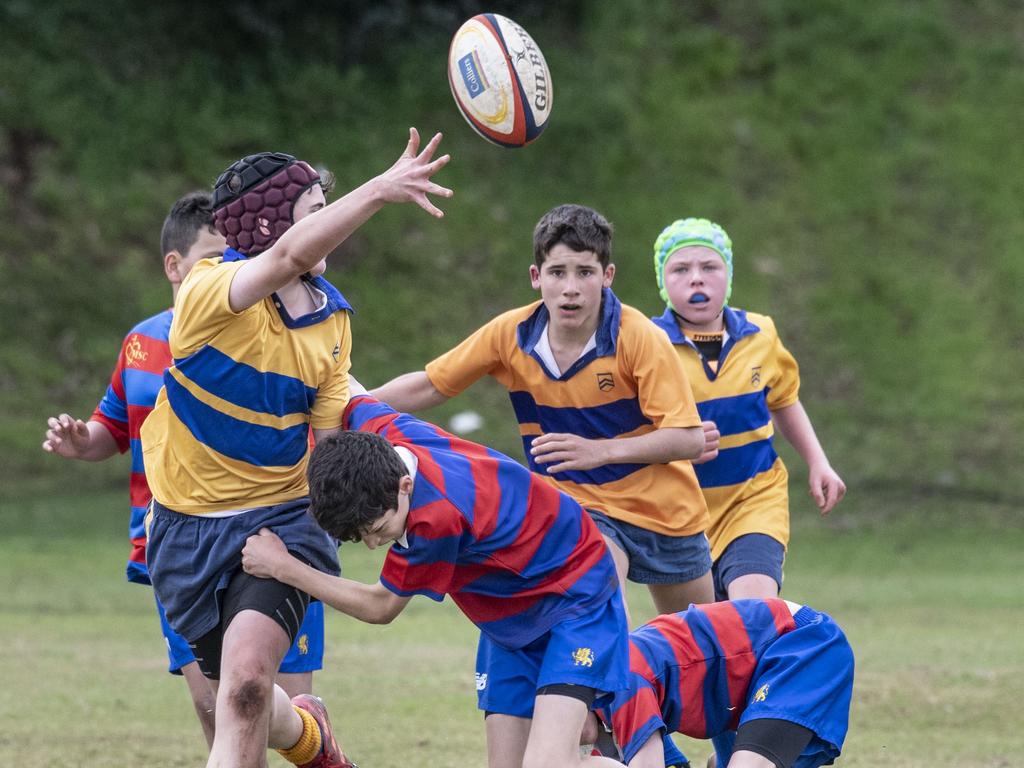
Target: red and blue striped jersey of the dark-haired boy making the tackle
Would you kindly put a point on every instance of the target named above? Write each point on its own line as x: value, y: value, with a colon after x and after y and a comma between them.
x: 517, y: 556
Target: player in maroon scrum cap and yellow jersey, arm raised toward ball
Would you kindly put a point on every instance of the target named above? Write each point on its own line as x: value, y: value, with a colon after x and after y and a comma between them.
x: 262, y: 353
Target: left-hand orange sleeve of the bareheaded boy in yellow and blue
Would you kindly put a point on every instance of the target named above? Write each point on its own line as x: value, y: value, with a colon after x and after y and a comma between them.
x: 481, y: 355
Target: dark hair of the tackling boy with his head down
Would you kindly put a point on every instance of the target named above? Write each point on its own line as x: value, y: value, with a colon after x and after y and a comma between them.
x: 354, y: 481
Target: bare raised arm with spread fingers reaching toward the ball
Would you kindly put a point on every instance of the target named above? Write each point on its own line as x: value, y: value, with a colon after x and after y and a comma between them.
x: 311, y: 240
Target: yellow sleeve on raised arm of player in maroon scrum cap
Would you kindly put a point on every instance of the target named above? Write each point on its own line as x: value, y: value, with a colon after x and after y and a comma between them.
x: 203, y: 308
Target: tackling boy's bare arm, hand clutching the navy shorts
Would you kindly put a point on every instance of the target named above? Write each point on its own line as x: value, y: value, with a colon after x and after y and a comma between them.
x: 266, y: 557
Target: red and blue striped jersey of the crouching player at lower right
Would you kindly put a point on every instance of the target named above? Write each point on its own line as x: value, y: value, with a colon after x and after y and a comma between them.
x: 691, y: 672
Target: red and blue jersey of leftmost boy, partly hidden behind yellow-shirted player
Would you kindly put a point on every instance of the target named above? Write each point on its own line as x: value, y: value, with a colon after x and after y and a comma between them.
x: 130, y: 399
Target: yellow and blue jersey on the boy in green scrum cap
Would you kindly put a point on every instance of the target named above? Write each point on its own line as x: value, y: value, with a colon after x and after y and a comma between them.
x: 747, y: 487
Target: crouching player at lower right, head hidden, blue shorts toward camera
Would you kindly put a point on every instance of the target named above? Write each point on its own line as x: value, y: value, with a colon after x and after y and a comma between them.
x: 779, y: 674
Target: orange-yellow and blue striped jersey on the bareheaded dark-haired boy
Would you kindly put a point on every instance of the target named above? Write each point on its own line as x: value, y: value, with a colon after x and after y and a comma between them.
x: 630, y: 382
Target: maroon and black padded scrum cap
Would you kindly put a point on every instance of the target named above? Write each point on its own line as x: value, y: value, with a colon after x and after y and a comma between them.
x: 254, y: 199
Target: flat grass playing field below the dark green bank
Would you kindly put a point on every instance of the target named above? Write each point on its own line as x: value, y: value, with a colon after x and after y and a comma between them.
x: 928, y: 591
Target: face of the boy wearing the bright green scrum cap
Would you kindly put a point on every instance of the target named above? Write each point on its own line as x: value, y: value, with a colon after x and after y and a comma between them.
x: 696, y: 280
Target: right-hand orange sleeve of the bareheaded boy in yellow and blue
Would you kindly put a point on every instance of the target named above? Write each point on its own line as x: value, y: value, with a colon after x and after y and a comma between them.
x: 663, y: 388
